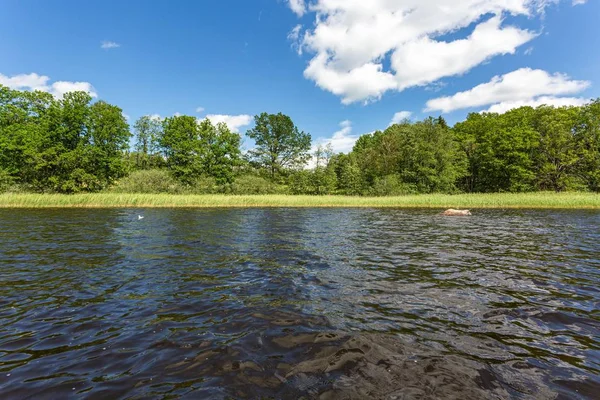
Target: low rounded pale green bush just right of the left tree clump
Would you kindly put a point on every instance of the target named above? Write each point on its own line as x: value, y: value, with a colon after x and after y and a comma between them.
x: 148, y: 181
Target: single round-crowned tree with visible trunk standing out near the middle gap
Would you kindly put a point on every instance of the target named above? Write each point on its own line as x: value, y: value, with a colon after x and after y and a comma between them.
x: 279, y: 143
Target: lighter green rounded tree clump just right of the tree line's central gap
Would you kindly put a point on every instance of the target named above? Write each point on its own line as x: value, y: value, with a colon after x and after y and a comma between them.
x: 423, y: 156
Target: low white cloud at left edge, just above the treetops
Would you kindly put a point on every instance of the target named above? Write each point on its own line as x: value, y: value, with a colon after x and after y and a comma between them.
x: 34, y: 81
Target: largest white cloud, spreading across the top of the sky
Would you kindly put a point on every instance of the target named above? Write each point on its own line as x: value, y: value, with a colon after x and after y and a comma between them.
x: 352, y: 40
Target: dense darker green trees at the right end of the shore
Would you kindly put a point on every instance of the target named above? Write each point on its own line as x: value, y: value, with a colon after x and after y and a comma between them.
x: 529, y: 149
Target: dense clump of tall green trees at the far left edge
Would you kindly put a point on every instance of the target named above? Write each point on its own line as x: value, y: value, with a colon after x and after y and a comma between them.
x: 65, y: 145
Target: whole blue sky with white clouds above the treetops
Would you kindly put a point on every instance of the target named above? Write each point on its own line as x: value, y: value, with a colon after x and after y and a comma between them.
x: 340, y: 68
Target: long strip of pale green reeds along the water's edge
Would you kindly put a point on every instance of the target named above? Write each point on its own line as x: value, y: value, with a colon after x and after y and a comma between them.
x: 113, y: 200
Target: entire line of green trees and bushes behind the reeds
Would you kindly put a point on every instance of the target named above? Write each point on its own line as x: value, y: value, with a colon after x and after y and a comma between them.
x: 72, y: 145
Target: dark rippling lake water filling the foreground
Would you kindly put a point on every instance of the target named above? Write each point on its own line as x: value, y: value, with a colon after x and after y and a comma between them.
x: 287, y: 303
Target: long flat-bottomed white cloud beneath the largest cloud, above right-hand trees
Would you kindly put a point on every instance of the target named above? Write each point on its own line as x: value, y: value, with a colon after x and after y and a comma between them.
x: 523, y: 86
